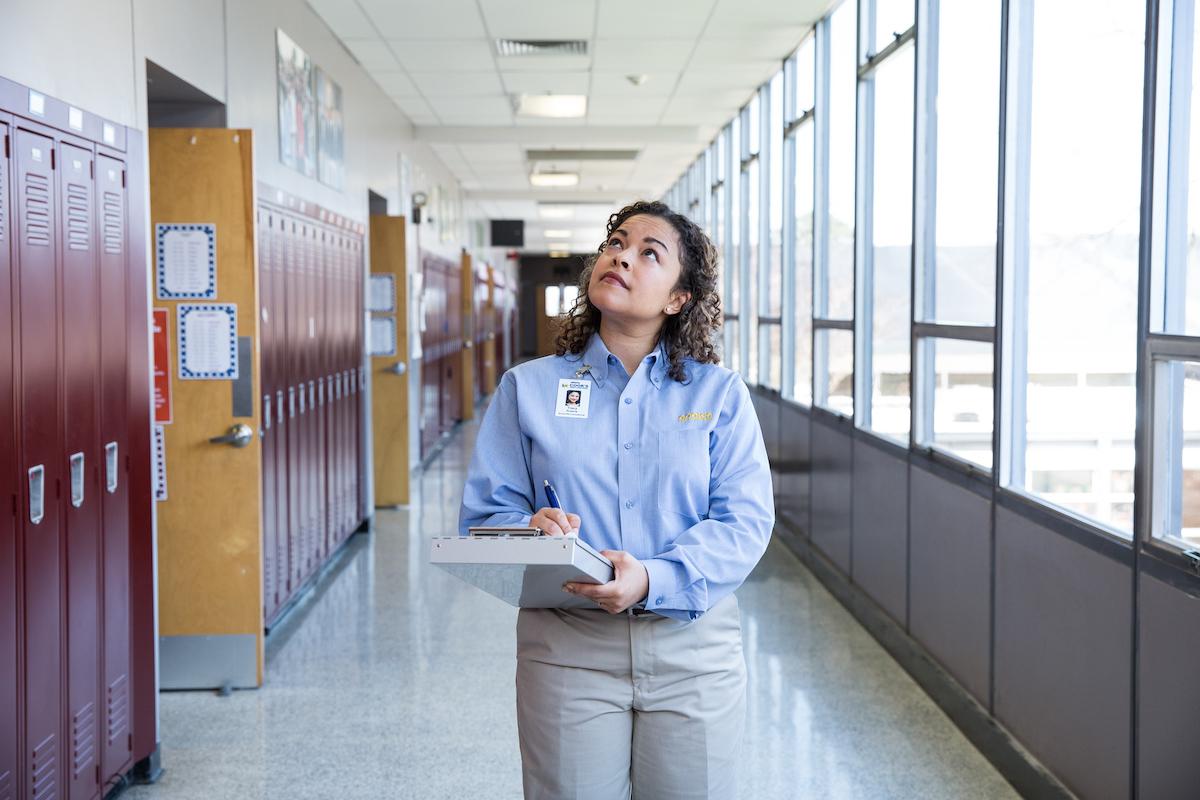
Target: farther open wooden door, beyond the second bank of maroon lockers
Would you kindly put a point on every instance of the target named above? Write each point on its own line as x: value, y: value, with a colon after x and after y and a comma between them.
x: 389, y: 382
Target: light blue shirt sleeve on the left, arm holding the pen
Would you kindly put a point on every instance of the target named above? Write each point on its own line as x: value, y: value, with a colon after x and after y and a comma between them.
x: 500, y: 489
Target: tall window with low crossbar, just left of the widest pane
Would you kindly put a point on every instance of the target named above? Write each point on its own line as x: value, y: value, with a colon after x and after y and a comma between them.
x: 958, y: 103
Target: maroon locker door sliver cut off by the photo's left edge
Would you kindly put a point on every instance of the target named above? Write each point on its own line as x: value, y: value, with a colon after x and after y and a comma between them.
x: 10, y: 753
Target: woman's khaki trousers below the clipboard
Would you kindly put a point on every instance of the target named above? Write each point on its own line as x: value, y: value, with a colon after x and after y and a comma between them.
x: 617, y: 707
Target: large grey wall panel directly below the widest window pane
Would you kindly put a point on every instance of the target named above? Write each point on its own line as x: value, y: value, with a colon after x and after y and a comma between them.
x: 1063, y: 660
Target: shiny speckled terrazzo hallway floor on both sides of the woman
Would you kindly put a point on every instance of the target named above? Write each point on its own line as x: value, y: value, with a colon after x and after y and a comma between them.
x: 397, y: 681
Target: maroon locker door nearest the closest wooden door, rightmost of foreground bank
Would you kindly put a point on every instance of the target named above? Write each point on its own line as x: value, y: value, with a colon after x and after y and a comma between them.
x: 115, y: 485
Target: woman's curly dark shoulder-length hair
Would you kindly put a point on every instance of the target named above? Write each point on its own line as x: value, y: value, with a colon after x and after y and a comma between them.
x: 692, y: 334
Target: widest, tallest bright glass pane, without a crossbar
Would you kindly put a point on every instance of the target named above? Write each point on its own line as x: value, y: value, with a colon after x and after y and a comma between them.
x: 1083, y: 252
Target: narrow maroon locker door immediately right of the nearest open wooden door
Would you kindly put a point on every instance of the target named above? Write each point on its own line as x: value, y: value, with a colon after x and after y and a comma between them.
x: 267, y: 399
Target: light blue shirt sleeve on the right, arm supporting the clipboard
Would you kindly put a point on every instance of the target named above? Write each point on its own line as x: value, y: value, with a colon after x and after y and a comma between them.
x: 715, y: 557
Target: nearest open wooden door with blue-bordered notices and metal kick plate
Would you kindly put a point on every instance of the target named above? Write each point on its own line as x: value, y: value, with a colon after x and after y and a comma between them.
x: 211, y: 569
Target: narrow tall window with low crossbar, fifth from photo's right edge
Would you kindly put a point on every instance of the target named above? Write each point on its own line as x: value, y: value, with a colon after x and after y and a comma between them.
x: 833, y: 288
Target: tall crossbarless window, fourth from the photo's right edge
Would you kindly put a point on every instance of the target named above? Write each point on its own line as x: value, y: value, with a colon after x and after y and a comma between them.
x: 885, y: 243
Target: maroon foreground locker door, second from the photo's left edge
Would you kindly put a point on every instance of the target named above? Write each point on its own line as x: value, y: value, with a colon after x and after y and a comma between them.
x: 41, y: 459
